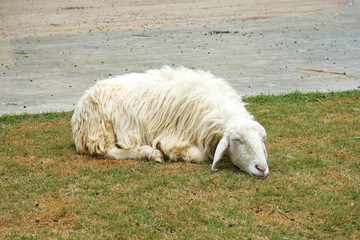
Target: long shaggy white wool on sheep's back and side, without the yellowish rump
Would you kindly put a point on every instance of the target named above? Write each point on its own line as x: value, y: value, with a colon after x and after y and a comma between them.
x: 173, y: 103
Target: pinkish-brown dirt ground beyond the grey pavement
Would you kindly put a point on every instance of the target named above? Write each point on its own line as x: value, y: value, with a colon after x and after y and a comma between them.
x: 20, y: 18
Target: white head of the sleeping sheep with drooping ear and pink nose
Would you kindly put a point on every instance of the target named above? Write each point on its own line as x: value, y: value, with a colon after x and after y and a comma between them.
x: 244, y: 143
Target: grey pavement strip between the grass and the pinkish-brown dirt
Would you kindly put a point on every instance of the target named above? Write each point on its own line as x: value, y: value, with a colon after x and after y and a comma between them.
x: 255, y: 56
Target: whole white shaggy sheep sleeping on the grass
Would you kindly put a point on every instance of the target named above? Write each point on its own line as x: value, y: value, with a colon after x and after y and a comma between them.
x: 179, y: 114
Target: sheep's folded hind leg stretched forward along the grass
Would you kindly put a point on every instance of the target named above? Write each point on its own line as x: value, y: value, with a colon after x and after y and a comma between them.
x: 141, y: 152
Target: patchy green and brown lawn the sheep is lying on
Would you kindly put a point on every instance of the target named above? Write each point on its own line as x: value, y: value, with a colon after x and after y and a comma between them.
x: 312, y: 192
